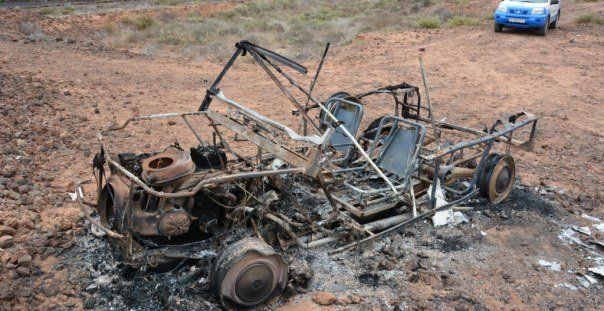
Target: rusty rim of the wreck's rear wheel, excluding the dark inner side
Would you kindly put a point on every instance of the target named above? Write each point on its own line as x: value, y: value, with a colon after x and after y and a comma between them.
x: 501, y: 180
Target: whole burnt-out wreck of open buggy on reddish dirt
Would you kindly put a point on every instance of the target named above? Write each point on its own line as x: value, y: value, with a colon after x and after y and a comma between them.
x: 214, y: 203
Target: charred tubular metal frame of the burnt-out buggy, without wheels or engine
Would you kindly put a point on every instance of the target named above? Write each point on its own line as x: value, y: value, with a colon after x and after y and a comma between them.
x: 312, y: 158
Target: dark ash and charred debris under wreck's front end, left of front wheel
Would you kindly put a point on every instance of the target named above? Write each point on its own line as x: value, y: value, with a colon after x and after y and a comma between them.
x: 108, y: 284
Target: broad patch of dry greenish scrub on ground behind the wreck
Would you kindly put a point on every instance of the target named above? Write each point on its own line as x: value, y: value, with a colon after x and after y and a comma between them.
x: 300, y: 28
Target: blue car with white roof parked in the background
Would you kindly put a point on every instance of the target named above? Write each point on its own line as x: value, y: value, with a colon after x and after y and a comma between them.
x: 528, y: 14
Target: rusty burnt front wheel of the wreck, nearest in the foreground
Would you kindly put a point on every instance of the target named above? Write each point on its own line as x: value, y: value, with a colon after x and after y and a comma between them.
x: 248, y: 273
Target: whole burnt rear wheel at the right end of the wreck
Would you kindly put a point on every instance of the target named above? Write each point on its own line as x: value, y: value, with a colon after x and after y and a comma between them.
x: 496, y: 178
